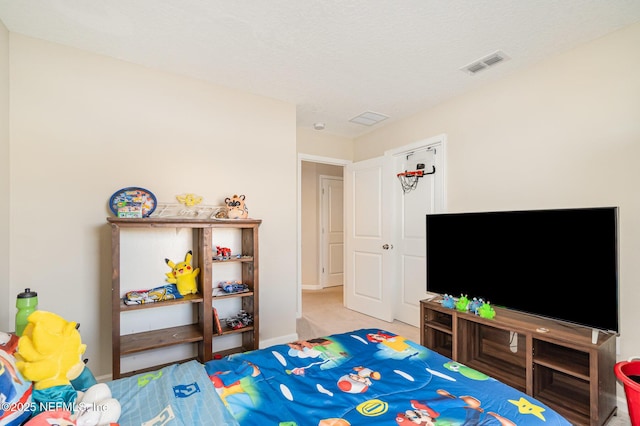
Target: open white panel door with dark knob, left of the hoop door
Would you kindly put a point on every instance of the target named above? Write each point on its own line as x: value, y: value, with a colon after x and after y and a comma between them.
x: 369, y: 264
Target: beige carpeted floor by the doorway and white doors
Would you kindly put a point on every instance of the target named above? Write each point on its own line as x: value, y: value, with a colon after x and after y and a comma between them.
x: 323, y: 313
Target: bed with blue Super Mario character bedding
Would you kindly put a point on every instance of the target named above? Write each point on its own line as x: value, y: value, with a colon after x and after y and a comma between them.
x: 363, y: 377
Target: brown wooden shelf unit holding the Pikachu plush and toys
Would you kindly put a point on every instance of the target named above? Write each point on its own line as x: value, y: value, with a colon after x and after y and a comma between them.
x: 201, y: 331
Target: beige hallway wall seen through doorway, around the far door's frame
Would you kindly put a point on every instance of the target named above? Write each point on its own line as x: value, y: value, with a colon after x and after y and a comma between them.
x: 310, y: 219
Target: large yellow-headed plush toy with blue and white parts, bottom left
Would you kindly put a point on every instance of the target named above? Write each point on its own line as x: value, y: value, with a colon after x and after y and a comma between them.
x: 49, y: 354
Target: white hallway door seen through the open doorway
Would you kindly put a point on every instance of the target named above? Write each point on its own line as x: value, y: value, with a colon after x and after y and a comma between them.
x: 331, y: 231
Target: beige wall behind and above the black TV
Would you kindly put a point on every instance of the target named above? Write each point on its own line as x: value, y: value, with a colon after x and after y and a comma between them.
x: 565, y: 133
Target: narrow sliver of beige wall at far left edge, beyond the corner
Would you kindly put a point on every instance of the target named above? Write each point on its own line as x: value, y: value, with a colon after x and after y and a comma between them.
x: 5, y: 293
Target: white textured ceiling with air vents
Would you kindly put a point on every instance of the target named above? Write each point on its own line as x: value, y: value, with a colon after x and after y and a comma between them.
x: 333, y: 59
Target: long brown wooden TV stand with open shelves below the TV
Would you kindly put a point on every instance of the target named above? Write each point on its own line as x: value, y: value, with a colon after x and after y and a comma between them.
x: 555, y: 362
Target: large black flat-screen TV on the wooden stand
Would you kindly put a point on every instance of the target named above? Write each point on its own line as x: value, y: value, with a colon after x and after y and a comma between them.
x: 561, y: 264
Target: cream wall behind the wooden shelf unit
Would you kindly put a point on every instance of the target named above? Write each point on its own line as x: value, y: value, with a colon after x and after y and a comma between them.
x: 84, y: 126
